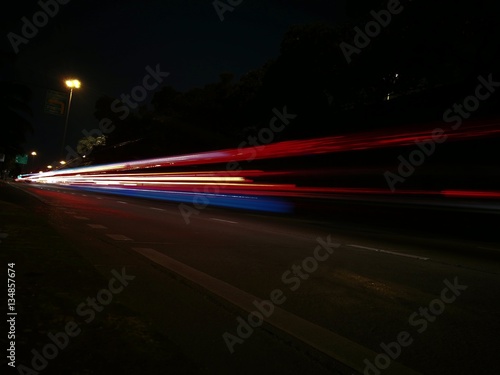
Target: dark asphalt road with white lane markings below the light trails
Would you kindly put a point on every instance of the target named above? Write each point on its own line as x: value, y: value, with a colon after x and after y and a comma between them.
x: 342, y: 289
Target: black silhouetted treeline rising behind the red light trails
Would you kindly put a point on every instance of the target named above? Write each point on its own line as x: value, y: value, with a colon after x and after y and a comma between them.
x: 426, y: 58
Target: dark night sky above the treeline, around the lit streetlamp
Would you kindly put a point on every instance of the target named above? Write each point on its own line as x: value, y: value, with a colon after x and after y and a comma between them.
x: 107, y: 45
